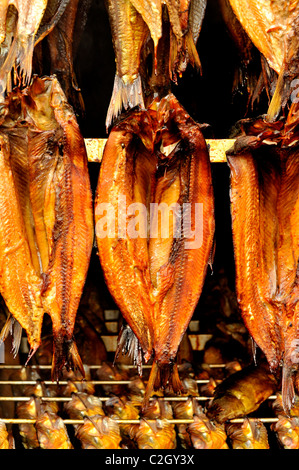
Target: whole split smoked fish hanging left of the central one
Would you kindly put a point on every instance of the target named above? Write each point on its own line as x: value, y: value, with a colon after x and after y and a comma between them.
x: 46, y: 231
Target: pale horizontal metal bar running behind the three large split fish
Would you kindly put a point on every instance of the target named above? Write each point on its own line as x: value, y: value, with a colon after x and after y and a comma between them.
x: 217, y: 149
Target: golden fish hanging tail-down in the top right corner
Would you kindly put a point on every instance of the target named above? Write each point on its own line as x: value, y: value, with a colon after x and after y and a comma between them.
x: 273, y: 27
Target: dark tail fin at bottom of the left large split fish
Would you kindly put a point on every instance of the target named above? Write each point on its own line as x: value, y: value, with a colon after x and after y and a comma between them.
x: 65, y: 355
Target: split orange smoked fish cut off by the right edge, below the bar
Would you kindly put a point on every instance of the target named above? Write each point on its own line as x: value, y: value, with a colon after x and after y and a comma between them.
x: 265, y: 222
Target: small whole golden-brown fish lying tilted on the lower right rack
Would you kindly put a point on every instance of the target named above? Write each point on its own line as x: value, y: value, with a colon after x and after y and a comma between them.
x: 241, y: 393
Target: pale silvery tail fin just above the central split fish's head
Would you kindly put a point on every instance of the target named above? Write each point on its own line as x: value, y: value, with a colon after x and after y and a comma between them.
x: 124, y: 95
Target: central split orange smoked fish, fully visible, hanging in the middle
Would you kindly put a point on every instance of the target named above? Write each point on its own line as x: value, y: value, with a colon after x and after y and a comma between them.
x: 155, y: 262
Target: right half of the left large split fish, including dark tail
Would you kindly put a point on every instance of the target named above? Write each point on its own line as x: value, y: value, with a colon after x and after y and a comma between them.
x: 68, y: 262
